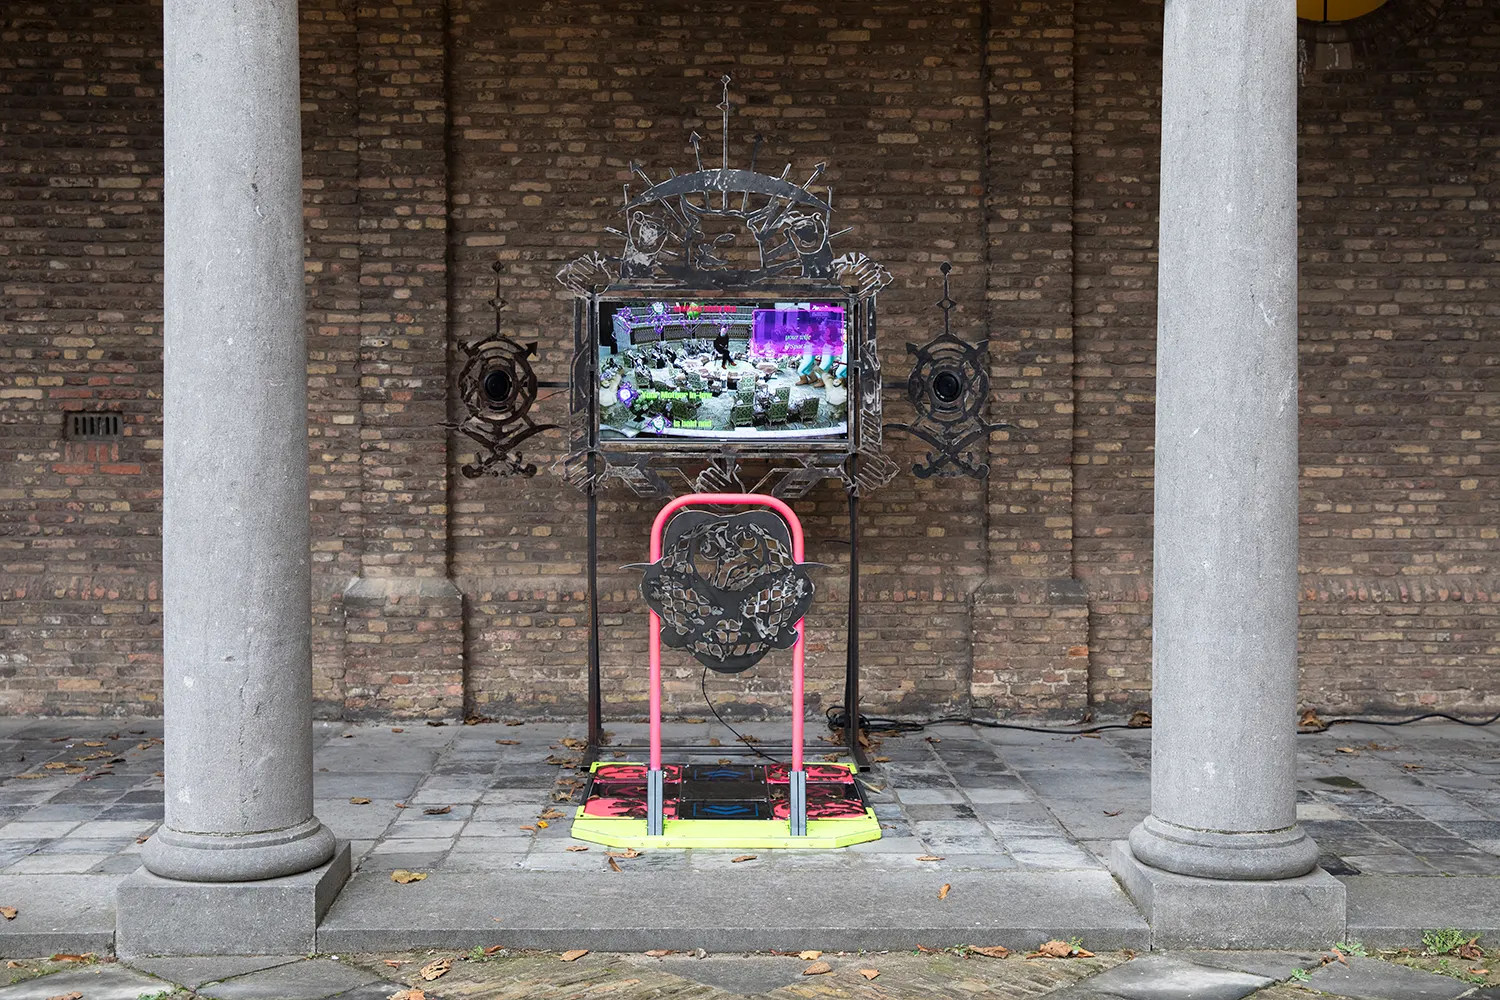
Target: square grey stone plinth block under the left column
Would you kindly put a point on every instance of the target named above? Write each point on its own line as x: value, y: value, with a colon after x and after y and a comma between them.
x: 272, y: 917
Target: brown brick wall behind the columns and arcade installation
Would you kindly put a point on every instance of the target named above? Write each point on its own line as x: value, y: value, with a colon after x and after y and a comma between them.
x: 1016, y: 140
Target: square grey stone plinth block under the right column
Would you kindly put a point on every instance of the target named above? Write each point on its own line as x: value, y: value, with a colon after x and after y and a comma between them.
x: 1189, y: 912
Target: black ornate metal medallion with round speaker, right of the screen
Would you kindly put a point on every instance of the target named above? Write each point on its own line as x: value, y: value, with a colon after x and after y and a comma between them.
x: 949, y: 389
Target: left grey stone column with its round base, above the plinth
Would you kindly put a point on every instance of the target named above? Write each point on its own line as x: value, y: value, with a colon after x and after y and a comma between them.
x: 235, y: 539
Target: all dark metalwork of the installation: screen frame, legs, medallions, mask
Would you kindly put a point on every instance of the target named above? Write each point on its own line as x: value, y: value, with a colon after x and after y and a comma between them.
x: 731, y: 238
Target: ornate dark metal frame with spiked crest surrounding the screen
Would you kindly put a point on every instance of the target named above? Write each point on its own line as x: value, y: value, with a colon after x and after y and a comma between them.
x: 670, y: 251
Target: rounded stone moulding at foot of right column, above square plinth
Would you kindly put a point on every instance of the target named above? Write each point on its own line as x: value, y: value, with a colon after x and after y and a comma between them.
x: 1213, y: 855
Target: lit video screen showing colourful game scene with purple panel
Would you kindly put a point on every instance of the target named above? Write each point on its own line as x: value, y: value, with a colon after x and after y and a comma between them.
x: 727, y: 371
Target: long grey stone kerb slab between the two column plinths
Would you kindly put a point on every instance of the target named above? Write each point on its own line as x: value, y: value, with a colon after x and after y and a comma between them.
x: 730, y: 911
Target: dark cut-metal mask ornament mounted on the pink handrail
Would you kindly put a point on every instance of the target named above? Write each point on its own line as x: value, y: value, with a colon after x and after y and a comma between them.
x: 727, y: 588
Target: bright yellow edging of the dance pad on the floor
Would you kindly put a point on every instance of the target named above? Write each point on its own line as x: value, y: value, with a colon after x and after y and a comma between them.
x: 725, y: 834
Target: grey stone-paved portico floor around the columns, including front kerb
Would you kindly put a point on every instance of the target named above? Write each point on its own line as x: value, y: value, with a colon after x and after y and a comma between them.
x: 1018, y: 819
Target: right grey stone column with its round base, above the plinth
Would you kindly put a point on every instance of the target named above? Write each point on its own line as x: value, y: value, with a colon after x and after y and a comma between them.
x: 1225, y: 663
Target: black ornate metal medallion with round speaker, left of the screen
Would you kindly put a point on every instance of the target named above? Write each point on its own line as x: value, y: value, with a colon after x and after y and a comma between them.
x: 499, y: 391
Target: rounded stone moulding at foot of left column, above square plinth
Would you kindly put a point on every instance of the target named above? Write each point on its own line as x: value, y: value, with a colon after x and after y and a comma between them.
x: 220, y: 858
